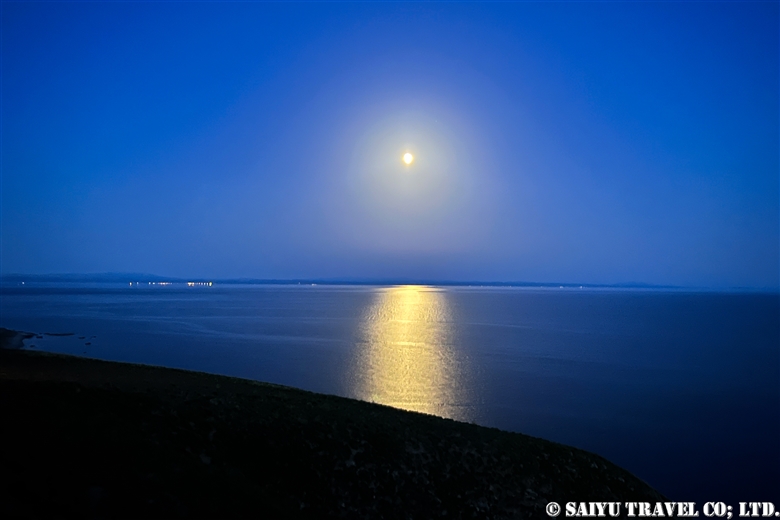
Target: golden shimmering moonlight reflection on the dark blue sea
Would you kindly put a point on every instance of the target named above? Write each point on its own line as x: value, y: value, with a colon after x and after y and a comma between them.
x: 406, y: 357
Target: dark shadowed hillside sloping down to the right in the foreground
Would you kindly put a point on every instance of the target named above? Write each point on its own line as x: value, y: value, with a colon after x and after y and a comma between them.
x: 82, y: 438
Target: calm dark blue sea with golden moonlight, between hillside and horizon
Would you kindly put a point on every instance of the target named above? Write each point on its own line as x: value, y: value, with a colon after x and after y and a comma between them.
x: 680, y: 388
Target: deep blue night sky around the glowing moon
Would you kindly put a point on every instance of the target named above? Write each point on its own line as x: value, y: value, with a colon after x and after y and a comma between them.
x: 603, y: 142
